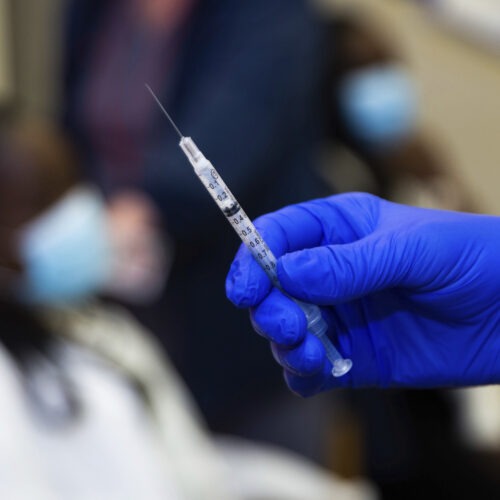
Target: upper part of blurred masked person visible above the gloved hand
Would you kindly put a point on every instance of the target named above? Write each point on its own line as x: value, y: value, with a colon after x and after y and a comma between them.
x: 372, y: 109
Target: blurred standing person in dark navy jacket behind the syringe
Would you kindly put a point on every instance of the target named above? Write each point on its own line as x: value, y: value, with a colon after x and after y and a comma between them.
x: 242, y: 78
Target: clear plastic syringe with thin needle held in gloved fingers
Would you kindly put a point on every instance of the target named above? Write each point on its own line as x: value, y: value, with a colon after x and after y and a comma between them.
x: 246, y: 230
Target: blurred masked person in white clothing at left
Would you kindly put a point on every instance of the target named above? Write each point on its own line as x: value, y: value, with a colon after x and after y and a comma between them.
x: 90, y: 408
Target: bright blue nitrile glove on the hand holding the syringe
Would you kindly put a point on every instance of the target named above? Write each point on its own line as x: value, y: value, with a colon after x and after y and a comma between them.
x: 411, y: 295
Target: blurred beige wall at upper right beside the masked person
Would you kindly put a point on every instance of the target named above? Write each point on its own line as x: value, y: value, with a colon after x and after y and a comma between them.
x: 459, y: 86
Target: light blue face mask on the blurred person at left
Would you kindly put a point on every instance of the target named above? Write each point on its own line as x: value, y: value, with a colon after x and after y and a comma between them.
x: 65, y: 251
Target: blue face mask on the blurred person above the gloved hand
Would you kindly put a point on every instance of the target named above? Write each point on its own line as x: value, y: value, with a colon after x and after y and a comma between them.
x: 379, y: 105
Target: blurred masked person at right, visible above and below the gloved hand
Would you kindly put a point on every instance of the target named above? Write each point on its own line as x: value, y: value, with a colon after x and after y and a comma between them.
x: 371, y: 107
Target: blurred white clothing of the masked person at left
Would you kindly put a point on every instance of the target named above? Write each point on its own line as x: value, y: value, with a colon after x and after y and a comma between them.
x: 122, y: 448
